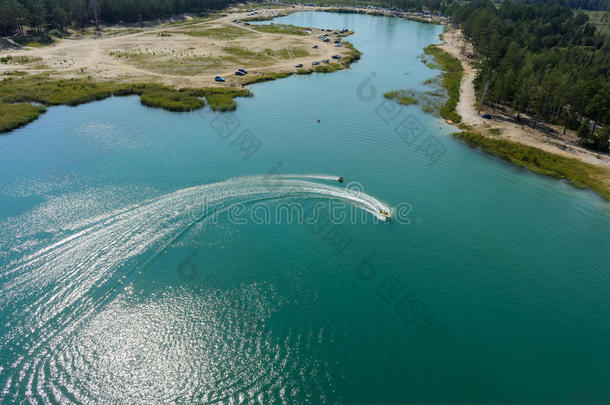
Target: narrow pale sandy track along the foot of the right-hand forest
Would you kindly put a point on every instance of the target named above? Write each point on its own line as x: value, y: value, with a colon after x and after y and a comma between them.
x: 546, y: 136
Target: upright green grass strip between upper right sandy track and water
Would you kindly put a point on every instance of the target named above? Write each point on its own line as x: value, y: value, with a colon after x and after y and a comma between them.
x: 452, y: 76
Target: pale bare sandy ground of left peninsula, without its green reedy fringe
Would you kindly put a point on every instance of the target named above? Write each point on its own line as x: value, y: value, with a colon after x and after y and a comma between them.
x: 179, y: 55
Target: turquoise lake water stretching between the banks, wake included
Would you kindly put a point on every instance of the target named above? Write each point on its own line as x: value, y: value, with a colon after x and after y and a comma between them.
x: 138, y: 265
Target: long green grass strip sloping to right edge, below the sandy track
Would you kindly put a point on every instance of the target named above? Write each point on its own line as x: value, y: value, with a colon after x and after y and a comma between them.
x: 580, y: 174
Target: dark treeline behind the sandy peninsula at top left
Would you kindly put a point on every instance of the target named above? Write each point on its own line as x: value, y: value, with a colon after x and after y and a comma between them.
x: 42, y: 15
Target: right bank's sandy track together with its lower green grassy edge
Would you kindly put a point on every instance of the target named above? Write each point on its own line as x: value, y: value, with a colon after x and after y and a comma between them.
x: 542, y: 152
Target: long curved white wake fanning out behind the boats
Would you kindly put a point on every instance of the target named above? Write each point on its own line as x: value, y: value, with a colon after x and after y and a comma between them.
x: 50, y: 291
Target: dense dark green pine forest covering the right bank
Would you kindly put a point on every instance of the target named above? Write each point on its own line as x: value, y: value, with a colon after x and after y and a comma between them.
x: 543, y: 59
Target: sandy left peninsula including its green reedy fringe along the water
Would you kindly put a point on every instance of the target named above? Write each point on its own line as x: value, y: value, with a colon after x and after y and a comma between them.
x: 171, y: 66
